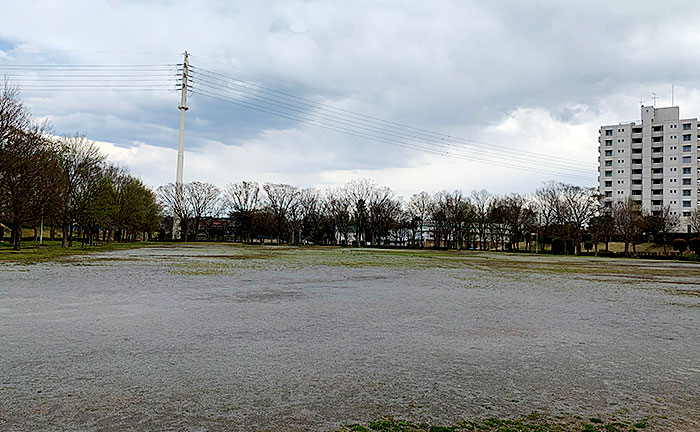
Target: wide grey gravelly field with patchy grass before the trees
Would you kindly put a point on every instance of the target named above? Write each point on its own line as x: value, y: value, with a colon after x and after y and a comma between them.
x: 222, y: 337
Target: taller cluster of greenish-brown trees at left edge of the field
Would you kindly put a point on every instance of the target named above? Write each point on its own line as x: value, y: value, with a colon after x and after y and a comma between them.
x: 65, y: 183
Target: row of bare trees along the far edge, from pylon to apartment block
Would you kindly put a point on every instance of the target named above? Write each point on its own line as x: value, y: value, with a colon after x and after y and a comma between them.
x: 563, y: 216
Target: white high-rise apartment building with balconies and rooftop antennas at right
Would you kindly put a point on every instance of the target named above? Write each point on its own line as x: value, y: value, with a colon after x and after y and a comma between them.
x: 654, y: 161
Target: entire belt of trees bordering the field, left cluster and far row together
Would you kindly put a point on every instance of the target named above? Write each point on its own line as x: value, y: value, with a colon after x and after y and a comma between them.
x: 66, y: 183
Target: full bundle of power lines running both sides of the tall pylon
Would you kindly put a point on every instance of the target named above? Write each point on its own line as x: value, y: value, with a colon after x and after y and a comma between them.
x: 160, y: 77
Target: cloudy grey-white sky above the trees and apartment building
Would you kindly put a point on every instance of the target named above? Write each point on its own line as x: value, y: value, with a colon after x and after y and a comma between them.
x: 510, y: 94
